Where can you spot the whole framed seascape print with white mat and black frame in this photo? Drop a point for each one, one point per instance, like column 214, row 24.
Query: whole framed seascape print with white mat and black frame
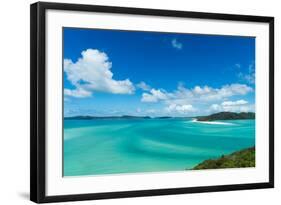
column 129, row 102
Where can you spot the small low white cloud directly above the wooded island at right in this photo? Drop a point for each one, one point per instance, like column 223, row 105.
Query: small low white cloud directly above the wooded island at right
column 232, row 106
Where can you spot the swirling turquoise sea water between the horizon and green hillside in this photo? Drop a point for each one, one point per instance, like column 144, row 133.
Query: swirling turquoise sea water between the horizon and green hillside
column 106, row 146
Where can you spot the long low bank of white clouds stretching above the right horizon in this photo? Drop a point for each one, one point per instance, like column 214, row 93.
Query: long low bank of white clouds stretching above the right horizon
column 181, row 100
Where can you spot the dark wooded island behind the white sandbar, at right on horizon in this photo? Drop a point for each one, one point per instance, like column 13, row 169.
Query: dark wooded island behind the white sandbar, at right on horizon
column 227, row 116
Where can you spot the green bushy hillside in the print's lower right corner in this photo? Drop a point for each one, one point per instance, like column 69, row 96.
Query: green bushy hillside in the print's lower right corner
column 242, row 158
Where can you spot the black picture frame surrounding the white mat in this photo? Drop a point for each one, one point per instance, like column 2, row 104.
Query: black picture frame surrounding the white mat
column 38, row 101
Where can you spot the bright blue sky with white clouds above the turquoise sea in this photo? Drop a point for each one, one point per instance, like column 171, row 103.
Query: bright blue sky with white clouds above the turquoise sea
column 110, row 72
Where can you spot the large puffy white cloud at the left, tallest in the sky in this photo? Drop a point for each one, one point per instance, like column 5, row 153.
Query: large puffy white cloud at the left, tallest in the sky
column 92, row 72
